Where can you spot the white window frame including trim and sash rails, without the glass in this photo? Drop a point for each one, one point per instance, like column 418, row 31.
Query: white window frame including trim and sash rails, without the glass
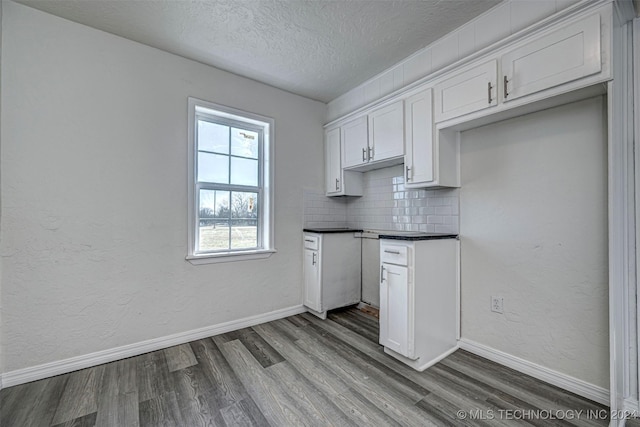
column 253, row 122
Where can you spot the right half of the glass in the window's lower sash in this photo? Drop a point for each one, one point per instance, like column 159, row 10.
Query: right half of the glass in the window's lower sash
column 244, row 223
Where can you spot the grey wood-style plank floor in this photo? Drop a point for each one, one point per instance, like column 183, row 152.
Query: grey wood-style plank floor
column 293, row 372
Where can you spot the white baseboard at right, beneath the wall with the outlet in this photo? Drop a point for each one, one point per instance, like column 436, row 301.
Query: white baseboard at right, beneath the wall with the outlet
column 564, row 381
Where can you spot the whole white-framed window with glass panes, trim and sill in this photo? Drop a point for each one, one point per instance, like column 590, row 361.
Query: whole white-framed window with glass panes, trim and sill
column 230, row 184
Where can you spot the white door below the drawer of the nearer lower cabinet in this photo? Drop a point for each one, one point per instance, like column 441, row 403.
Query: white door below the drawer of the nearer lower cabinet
column 395, row 313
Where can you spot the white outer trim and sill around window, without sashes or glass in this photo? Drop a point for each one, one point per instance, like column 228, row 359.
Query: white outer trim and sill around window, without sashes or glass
column 267, row 214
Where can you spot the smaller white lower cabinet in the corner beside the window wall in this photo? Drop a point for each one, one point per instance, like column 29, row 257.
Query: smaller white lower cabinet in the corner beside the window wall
column 331, row 271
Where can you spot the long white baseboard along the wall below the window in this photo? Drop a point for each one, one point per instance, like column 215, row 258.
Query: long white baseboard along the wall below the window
column 46, row 370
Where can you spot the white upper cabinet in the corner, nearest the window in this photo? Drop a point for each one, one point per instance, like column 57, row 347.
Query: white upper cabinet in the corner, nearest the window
column 338, row 182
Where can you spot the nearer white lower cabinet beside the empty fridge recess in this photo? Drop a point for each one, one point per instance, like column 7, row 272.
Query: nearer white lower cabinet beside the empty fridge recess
column 419, row 300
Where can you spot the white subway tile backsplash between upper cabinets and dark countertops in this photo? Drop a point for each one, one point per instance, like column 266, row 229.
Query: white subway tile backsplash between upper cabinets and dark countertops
column 386, row 205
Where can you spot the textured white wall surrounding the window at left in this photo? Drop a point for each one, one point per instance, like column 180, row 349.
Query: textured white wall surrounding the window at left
column 94, row 203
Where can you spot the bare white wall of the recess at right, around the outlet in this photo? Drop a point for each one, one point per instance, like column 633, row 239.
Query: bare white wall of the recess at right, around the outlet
column 533, row 225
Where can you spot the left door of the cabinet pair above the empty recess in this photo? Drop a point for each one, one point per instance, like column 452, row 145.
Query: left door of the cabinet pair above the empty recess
column 466, row 92
